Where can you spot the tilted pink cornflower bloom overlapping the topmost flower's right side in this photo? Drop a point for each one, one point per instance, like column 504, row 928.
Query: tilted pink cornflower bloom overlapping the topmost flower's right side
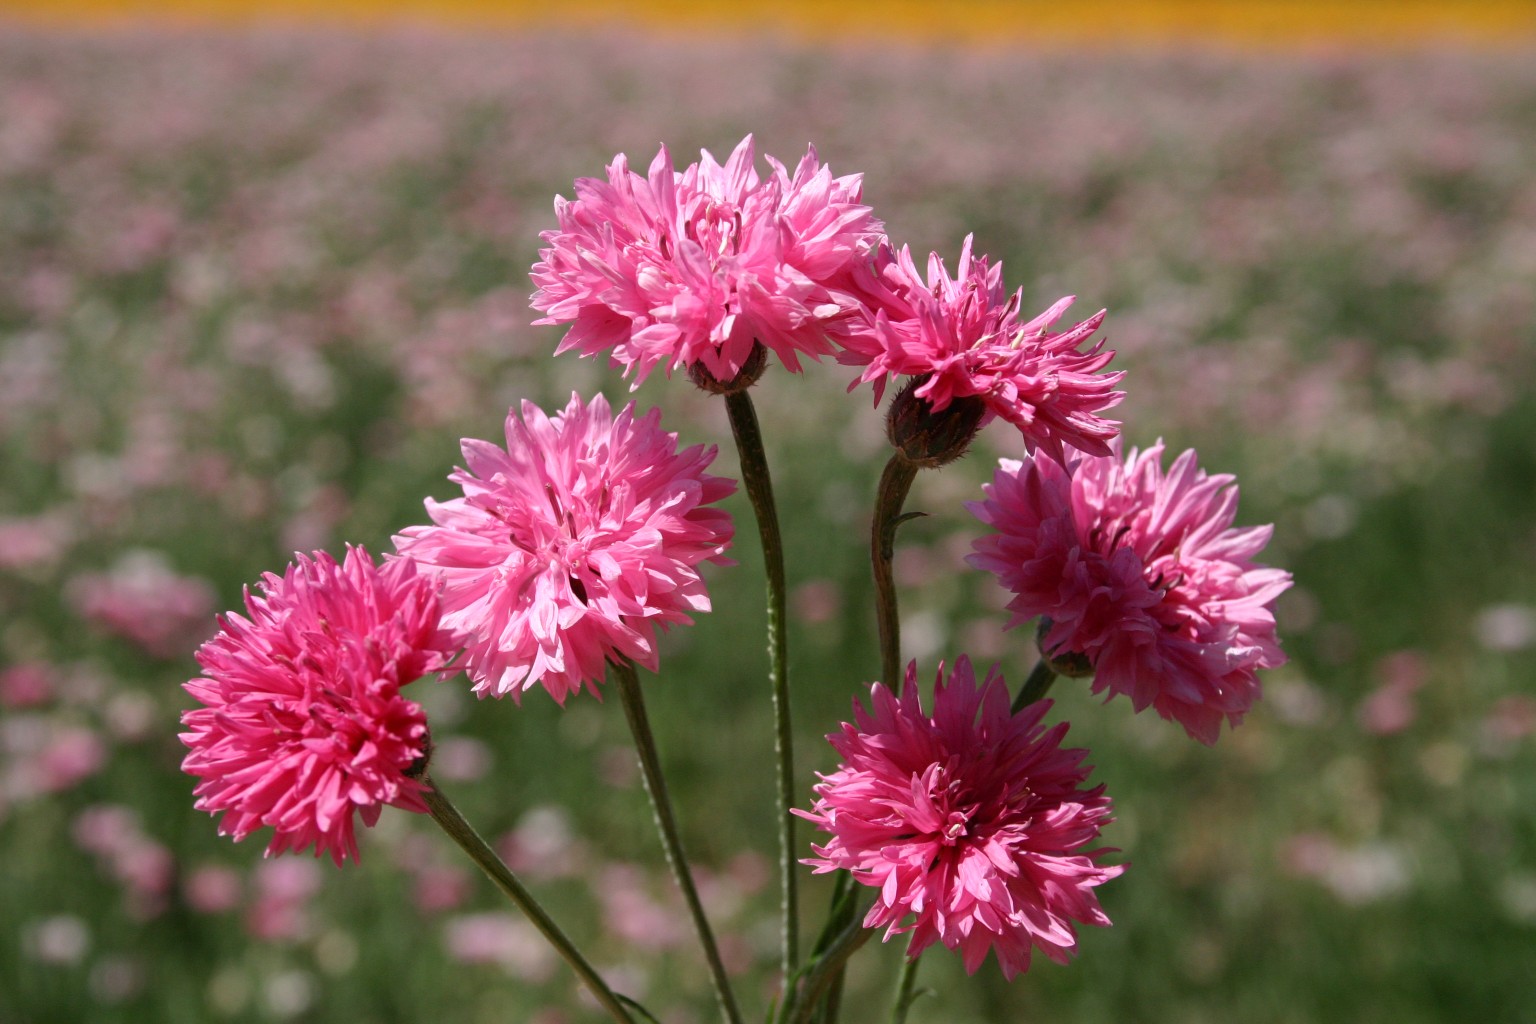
column 962, row 337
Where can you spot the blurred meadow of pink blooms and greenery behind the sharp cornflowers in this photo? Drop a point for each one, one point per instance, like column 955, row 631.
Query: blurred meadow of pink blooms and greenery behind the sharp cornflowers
column 256, row 288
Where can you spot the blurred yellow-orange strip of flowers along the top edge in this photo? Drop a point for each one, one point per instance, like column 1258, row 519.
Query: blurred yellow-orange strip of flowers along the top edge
column 1079, row 22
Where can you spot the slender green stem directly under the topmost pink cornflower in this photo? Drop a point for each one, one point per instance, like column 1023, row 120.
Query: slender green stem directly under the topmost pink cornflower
column 760, row 491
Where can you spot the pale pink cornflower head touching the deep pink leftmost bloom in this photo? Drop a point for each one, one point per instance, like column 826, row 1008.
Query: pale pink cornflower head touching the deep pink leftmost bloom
column 572, row 546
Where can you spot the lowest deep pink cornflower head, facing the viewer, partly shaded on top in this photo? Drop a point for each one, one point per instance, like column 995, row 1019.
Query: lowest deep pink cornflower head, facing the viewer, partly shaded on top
column 972, row 822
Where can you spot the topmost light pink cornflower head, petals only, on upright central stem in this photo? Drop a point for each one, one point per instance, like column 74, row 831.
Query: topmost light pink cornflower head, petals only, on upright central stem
column 698, row 266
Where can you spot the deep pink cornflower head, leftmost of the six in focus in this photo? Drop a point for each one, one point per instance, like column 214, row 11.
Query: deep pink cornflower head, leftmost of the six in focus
column 303, row 724
